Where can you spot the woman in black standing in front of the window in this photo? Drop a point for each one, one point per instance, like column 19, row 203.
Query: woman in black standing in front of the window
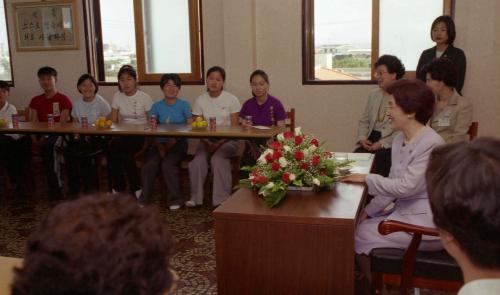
column 443, row 33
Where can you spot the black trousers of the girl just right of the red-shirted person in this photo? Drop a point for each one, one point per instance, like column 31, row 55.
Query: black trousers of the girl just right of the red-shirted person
column 80, row 162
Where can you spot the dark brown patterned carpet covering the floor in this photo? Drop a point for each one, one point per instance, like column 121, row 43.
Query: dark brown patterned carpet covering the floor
column 193, row 230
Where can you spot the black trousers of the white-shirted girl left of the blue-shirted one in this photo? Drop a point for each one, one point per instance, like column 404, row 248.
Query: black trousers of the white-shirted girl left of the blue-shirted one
column 121, row 156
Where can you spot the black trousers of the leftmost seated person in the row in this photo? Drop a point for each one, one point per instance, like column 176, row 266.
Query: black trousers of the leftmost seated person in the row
column 15, row 156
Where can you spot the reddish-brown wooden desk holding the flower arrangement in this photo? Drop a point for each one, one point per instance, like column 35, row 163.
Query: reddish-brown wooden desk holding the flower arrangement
column 305, row 245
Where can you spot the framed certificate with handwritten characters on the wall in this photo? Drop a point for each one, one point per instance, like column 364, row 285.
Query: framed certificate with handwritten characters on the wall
column 48, row 25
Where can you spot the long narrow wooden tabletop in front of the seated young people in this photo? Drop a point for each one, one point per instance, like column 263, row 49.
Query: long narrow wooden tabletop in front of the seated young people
column 171, row 130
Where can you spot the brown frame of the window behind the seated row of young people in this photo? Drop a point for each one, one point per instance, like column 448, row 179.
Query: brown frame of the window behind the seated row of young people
column 95, row 53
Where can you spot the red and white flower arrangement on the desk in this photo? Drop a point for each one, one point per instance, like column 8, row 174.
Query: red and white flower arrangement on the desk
column 293, row 160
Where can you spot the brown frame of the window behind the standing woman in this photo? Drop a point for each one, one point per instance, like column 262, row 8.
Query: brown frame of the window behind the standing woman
column 308, row 44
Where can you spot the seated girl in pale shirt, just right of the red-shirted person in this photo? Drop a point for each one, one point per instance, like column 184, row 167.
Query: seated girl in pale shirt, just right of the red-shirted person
column 78, row 153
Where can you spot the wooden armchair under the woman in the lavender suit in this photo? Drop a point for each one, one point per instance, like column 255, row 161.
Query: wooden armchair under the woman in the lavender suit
column 411, row 268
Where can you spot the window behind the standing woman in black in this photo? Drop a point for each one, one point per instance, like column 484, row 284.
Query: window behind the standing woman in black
column 343, row 38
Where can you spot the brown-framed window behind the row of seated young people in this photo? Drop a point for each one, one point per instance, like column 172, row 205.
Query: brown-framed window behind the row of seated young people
column 155, row 36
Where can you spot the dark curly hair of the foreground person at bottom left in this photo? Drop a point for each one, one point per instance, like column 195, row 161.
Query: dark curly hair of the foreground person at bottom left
column 103, row 244
